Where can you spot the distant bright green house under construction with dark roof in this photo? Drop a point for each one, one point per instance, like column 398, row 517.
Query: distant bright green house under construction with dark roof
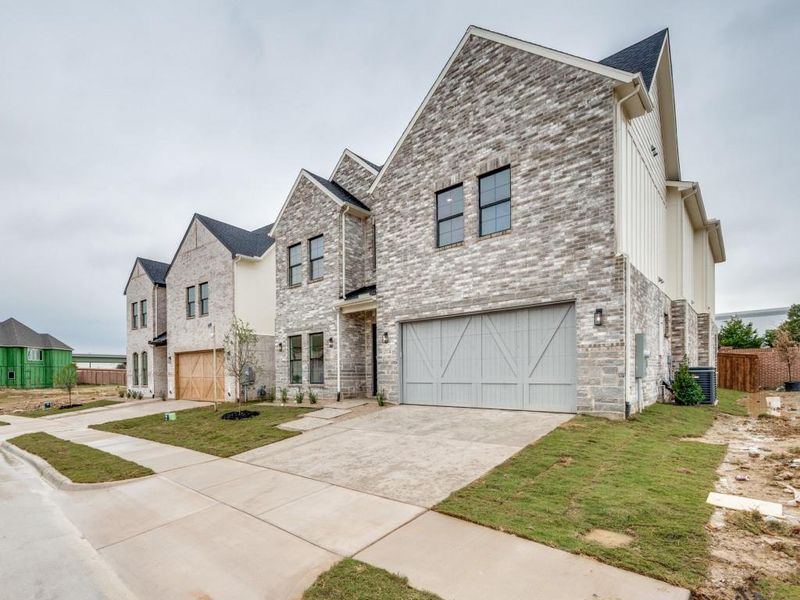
column 29, row 359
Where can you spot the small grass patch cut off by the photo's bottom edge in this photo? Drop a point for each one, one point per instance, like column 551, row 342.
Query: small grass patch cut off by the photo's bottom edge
column 353, row 580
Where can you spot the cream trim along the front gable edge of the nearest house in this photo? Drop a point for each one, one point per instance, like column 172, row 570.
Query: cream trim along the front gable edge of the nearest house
column 620, row 75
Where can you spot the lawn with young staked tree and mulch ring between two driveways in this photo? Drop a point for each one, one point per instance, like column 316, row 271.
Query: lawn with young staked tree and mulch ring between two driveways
column 203, row 430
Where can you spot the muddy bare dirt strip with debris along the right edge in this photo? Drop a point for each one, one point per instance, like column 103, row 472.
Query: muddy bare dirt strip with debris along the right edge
column 761, row 462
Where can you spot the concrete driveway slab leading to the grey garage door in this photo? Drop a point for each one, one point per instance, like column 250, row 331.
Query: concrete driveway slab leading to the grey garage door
column 412, row 454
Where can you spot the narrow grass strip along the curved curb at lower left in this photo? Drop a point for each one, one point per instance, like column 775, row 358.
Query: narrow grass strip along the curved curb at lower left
column 81, row 464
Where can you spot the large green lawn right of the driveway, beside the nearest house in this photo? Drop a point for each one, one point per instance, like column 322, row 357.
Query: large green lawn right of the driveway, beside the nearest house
column 635, row 477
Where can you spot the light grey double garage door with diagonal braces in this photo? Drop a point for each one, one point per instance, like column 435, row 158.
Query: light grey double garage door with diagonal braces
column 520, row 359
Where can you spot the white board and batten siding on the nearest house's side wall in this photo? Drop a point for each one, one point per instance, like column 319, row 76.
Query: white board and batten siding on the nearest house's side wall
column 641, row 193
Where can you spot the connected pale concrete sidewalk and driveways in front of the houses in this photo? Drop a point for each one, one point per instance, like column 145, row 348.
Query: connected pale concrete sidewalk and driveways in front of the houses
column 266, row 523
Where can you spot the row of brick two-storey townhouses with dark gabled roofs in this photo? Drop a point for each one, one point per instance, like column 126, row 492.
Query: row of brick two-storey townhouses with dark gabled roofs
column 528, row 244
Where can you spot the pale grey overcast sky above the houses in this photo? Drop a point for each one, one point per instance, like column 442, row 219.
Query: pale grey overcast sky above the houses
column 119, row 120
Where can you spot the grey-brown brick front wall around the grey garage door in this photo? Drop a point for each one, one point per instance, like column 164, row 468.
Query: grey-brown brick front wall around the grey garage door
column 554, row 125
